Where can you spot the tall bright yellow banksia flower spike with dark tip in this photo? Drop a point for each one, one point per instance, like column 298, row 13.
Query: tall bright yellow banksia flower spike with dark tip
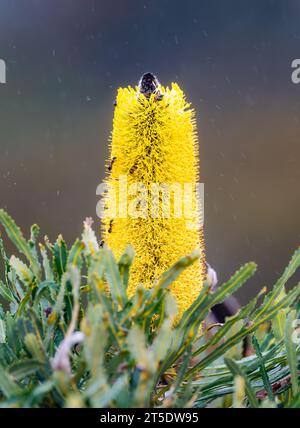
column 151, row 200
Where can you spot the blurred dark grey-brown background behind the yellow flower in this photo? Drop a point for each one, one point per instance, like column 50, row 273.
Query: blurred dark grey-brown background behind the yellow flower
column 65, row 60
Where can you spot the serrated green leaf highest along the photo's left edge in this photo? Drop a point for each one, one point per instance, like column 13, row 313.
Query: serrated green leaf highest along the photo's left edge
column 16, row 236
